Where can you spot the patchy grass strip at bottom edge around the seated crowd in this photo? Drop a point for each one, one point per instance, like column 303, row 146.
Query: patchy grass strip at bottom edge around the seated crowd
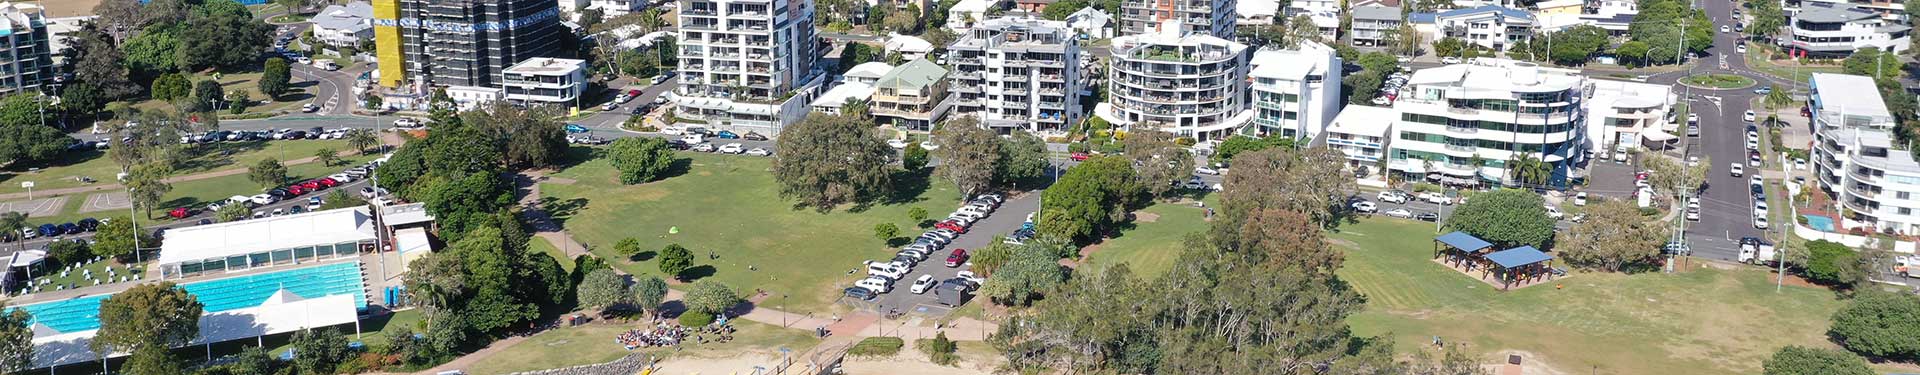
column 594, row 345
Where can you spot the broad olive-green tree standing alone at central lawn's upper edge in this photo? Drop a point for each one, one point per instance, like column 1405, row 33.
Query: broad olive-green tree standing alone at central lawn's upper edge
column 830, row 161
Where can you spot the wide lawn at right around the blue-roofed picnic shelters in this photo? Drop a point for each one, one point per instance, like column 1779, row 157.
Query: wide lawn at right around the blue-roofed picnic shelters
column 1702, row 320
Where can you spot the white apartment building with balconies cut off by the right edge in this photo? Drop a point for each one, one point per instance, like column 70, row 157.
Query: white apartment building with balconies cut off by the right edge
column 1875, row 180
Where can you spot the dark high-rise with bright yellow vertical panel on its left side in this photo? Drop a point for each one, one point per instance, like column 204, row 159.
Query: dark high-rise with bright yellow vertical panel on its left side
column 464, row 43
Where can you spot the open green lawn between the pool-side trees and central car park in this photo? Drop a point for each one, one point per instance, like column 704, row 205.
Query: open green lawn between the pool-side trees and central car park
column 731, row 207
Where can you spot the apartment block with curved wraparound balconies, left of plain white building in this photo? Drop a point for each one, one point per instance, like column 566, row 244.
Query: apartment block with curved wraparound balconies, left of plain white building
column 1178, row 82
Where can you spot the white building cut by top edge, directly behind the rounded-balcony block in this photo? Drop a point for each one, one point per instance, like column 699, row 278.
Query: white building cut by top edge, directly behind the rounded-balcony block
column 1195, row 16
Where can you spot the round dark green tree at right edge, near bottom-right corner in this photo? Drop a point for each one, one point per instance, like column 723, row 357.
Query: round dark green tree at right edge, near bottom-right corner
column 1879, row 324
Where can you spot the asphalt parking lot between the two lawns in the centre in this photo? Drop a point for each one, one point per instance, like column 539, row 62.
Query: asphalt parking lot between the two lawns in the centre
column 1005, row 220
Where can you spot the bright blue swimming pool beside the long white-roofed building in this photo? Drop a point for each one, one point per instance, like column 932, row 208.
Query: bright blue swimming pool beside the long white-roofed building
column 218, row 295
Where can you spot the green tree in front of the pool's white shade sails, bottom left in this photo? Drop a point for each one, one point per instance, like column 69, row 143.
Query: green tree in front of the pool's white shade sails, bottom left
column 147, row 320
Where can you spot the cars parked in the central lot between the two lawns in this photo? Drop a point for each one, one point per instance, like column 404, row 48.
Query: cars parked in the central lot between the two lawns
column 882, row 276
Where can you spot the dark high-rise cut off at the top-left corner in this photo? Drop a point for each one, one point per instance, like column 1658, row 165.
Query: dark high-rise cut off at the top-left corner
column 26, row 59
